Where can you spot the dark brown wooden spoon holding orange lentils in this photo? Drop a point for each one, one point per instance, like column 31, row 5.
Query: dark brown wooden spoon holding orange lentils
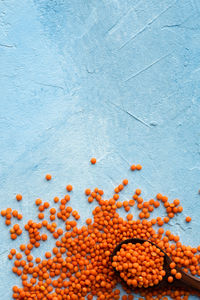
column 186, row 282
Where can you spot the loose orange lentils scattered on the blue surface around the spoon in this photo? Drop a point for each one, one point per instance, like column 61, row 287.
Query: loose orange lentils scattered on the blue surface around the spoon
column 79, row 265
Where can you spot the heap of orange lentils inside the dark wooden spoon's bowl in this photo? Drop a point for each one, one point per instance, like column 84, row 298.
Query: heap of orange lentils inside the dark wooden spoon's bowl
column 140, row 265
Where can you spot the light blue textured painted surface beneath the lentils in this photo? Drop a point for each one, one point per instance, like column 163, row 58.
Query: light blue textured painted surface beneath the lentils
column 118, row 80
